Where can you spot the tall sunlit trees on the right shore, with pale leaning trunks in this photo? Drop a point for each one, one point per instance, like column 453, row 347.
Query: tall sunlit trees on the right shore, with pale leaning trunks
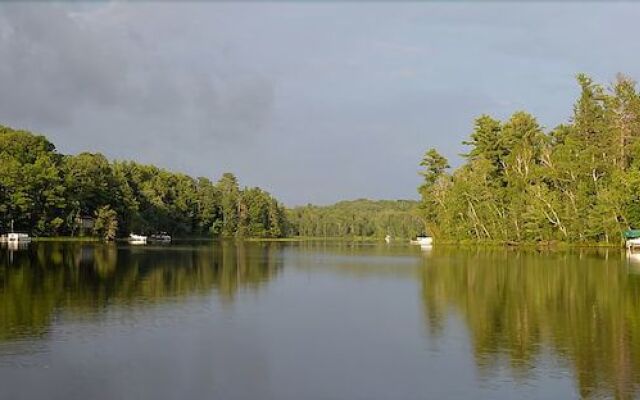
column 578, row 182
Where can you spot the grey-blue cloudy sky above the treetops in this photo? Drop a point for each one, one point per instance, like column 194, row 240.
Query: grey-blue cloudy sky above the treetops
column 315, row 102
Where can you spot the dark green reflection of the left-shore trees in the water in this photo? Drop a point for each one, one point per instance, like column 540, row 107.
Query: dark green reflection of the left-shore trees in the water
column 84, row 278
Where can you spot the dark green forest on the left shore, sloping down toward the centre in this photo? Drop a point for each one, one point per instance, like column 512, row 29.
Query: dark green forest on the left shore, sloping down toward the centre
column 48, row 193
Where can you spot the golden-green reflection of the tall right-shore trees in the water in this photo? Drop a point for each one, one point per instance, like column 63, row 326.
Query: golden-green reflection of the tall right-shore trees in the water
column 581, row 307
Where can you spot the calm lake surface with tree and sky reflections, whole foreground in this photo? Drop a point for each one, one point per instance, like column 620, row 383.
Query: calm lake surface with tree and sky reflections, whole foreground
column 316, row 321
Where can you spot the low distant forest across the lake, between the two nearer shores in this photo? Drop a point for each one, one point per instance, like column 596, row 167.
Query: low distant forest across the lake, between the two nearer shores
column 357, row 218
